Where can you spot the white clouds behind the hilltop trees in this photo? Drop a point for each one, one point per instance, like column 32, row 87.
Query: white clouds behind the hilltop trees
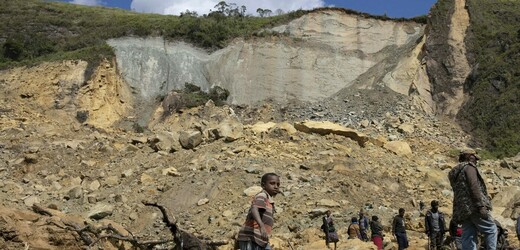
column 175, row 7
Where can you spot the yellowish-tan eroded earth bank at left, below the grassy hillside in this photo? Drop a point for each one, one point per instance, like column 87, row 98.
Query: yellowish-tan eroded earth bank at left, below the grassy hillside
column 58, row 94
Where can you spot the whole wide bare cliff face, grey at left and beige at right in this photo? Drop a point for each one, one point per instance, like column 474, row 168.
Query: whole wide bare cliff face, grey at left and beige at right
column 320, row 54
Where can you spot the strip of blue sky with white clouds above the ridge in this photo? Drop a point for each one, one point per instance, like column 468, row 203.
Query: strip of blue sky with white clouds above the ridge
column 392, row 8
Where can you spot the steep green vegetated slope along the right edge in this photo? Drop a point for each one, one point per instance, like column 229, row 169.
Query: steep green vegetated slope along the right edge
column 493, row 110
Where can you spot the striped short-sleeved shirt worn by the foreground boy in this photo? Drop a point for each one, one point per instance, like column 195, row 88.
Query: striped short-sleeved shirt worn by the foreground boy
column 251, row 230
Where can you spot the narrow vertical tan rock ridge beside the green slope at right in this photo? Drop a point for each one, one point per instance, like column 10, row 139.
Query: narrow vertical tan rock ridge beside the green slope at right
column 447, row 64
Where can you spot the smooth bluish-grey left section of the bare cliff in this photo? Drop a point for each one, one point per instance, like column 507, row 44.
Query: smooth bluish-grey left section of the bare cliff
column 153, row 66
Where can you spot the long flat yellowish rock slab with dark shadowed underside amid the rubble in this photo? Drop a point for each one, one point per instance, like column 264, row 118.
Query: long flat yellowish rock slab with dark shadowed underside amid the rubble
column 326, row 127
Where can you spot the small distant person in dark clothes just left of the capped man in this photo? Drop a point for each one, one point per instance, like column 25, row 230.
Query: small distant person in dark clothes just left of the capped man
column 435, row 226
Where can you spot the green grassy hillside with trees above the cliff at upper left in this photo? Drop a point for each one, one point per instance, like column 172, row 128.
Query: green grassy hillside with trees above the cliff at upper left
column 33, row 31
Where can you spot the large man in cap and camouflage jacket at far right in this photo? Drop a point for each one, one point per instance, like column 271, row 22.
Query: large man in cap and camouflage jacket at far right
column 471, row 202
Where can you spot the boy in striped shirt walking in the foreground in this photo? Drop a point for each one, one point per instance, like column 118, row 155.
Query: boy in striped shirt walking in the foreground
column 254, row 235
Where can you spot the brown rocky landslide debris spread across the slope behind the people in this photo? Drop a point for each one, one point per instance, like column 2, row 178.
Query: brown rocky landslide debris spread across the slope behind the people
column 68, row 143
